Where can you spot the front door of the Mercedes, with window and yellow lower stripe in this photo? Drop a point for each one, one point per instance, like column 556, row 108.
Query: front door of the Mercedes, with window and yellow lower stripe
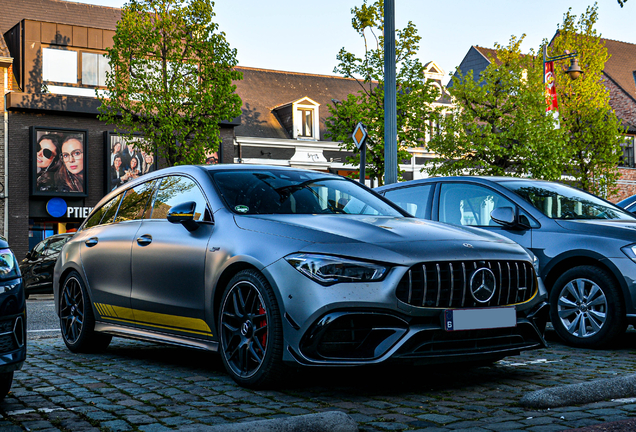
column 168, row 263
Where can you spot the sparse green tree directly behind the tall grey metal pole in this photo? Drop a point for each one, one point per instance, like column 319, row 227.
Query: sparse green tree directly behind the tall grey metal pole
column 414, row 94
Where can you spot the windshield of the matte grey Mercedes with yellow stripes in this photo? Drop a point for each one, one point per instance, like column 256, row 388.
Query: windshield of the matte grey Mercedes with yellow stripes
column 296, row 192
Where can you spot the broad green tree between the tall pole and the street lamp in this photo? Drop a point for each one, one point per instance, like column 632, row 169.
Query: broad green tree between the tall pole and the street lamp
column 499, row 126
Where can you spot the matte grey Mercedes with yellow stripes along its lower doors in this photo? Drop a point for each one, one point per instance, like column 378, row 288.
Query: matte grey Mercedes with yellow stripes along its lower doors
column 278, row 267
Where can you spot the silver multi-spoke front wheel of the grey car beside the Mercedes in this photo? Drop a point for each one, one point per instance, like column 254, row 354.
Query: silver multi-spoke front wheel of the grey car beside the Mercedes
column 586, row 307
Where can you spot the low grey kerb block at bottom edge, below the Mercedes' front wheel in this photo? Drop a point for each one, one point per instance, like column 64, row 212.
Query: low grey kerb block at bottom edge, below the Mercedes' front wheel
column 330, row 421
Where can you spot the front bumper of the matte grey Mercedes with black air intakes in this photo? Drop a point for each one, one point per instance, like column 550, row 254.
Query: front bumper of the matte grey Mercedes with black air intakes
column 365, row 323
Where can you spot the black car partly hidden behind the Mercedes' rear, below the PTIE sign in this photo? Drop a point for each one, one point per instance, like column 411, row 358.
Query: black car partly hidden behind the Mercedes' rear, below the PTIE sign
column 37, row 266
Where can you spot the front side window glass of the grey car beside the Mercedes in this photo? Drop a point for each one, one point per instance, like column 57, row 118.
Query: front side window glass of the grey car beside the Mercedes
column 467, row 204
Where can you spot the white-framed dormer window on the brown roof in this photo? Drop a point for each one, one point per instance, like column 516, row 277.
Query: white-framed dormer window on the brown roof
column 300, row 119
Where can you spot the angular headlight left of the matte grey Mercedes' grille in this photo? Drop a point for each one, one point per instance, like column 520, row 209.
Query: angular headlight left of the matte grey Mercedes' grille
column 327, row 269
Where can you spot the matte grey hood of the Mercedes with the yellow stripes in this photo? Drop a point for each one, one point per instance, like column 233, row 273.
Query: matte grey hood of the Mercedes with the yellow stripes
column 391, row 239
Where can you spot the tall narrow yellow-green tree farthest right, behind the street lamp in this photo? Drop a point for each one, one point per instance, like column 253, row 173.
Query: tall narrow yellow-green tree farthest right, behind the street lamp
column 592, row 126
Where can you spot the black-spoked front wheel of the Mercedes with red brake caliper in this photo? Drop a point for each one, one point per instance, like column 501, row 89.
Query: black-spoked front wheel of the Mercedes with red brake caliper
column 251, row 331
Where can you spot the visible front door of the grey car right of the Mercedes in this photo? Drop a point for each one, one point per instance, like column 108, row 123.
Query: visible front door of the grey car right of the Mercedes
column 470, row 204
